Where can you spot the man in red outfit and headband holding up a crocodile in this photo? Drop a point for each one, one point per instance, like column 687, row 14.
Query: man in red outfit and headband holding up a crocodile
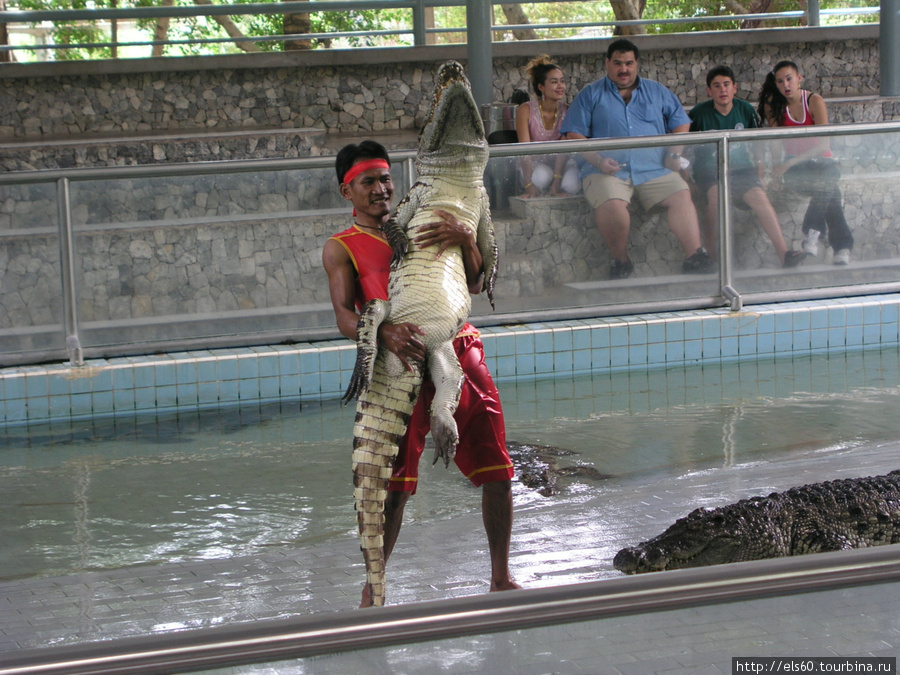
column 357, row 261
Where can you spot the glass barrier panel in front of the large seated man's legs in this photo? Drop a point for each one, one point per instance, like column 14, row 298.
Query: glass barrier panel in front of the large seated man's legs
column 555, row 248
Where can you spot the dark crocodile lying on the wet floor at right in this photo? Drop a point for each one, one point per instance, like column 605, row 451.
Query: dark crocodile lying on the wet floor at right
column 830, row 516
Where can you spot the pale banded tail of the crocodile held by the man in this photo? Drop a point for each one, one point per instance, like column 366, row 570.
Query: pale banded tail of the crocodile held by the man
column 382, row 415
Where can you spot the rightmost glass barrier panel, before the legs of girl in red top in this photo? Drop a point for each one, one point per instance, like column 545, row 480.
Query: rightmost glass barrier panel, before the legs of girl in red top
column 835, row 211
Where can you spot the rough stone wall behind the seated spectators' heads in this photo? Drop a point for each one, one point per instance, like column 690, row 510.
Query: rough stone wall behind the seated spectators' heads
column 339, row 94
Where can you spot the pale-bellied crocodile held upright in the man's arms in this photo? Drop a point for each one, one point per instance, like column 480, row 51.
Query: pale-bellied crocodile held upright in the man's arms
column 426, row 289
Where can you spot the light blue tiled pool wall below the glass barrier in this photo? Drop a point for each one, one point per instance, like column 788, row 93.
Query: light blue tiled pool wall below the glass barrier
column 320, row 370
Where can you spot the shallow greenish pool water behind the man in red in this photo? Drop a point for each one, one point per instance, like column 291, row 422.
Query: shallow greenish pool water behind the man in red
column 209, row 485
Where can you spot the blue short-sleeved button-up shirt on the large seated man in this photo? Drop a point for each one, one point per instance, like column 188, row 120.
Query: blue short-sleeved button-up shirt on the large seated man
column 600, row 112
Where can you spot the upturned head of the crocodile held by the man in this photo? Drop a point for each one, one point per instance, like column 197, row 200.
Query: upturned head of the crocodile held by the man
column 452, row 142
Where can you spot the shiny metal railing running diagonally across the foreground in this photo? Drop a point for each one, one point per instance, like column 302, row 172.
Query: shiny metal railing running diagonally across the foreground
column 326, row 633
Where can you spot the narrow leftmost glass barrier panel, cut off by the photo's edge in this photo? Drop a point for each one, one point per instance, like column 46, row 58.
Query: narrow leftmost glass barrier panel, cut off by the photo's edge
column 31, row 312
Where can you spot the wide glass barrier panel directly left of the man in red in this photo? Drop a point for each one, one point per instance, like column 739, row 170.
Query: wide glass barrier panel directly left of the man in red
column 209, row 255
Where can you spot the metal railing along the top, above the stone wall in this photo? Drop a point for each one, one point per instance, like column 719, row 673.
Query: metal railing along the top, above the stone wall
column 417, row 27
